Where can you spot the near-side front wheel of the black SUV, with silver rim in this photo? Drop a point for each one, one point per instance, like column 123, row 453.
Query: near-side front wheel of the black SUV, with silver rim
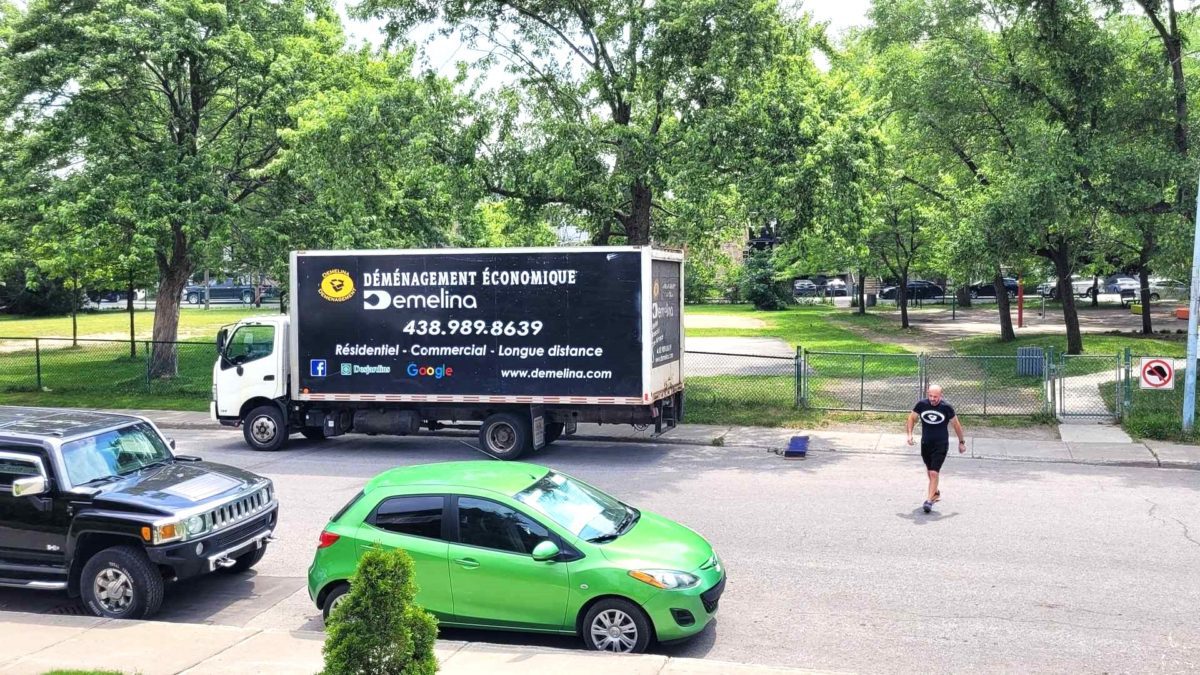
column 122, row 583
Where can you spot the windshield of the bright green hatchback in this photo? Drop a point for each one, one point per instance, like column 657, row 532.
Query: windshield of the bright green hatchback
column 583, row 510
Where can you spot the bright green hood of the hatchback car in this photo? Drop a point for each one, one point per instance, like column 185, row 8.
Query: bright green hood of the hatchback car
column 659, row 543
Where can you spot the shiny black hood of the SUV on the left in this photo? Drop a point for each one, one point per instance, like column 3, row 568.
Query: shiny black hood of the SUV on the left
column 176, row 487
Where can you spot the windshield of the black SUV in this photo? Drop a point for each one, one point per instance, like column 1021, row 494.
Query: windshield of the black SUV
column 113, row 453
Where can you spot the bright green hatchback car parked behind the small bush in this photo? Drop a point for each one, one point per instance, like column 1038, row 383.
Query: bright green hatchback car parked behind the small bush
column 519, row 547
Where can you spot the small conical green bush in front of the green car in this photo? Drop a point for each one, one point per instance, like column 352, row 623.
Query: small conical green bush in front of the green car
column 379, row 629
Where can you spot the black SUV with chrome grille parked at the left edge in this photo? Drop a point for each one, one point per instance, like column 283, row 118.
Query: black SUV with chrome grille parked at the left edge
column 99, row 506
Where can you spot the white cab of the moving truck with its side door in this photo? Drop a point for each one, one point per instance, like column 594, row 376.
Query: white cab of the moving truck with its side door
column 250, row 367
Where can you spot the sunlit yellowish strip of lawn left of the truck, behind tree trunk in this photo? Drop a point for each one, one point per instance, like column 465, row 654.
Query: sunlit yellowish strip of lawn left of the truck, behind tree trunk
column 194, row 324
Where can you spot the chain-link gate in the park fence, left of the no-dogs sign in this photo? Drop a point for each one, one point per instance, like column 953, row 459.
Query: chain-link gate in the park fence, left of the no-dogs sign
column 1089, row 386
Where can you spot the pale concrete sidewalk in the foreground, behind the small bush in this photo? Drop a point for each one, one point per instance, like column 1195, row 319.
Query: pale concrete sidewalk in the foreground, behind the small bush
column 35, row 644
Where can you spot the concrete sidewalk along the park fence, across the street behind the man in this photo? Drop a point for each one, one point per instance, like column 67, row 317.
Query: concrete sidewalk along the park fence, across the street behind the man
column 1081, row 444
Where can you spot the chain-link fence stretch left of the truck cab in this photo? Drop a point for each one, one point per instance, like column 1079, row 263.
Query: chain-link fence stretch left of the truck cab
column 91, row 366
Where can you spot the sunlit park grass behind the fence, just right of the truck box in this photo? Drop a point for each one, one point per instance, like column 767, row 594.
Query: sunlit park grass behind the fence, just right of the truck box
column 813, row 327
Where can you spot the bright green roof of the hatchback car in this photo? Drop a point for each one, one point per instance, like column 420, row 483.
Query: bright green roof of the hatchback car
column 506, row 477
